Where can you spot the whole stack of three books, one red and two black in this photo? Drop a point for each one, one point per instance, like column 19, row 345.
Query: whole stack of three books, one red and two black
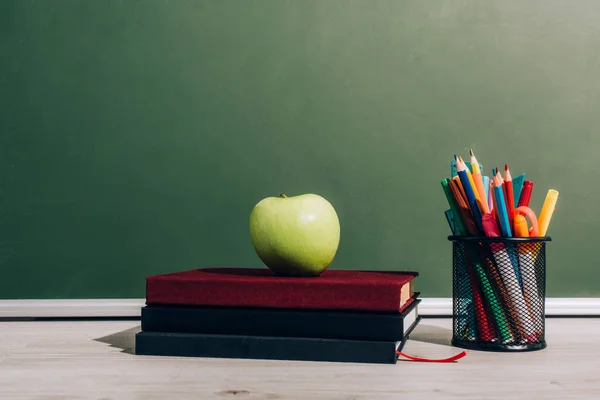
column 339, row 316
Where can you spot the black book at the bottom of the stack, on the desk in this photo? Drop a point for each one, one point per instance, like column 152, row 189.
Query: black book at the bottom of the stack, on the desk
column 265, row 348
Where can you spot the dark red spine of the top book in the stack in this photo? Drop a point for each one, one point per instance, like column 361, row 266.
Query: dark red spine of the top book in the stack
column 365, row 297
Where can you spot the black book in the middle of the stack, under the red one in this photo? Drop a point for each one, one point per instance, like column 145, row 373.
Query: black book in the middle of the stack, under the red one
column 379, row 326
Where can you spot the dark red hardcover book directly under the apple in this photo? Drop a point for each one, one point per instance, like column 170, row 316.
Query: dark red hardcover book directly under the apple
column 383, row 291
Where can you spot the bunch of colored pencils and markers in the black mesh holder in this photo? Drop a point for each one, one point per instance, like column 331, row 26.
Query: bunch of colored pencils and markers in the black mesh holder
column 503, row 304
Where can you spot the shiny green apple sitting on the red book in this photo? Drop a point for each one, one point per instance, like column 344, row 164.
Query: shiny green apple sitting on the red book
column 295, row 236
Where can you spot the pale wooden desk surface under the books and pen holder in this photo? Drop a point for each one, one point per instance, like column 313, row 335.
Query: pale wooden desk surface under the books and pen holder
column 94, row 360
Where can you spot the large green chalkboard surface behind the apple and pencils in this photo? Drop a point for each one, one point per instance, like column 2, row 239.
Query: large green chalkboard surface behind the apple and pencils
column 137, row 135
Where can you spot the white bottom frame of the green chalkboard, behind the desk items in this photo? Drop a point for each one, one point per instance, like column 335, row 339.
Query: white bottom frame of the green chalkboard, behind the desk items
column 432, row 307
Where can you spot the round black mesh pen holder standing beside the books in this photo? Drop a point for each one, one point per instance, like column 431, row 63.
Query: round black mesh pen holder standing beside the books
column 498, row 293
